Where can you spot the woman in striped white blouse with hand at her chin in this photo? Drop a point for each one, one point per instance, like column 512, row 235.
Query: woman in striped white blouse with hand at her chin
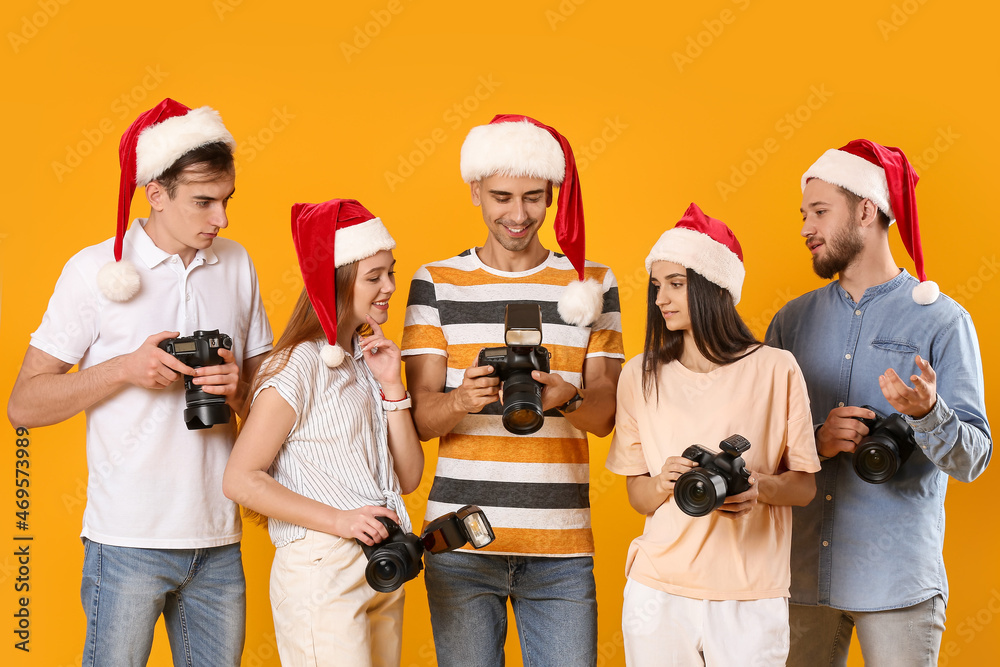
column 329, row 446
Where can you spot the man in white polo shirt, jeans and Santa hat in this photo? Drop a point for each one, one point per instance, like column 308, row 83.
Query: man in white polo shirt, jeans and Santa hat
column 159, row 535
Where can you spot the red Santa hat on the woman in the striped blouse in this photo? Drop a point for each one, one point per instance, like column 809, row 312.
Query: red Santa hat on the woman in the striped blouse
column 346, row 230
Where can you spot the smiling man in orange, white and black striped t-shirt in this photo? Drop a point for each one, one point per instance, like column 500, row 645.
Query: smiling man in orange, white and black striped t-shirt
column 534, row 488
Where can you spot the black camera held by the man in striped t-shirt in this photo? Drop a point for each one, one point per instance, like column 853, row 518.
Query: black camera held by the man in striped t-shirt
column 522, row 395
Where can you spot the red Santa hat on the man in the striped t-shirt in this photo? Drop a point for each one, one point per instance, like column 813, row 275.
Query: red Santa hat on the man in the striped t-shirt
column 516, row 145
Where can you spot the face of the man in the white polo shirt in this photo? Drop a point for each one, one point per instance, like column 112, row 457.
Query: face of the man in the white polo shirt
column 189, row 220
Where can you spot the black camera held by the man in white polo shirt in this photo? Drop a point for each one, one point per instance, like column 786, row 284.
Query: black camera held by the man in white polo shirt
column 202, row 349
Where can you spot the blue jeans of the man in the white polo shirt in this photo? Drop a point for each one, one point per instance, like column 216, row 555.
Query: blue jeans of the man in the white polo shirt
column 200, row 592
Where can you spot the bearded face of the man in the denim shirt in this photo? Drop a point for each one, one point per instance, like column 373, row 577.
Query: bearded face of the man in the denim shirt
column 830, row 227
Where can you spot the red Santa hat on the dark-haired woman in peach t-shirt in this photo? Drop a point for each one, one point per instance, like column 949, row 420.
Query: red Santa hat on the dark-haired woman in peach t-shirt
column 705, row 245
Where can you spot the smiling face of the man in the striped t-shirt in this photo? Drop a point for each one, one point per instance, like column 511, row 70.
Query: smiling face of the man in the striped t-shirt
column 513, row 208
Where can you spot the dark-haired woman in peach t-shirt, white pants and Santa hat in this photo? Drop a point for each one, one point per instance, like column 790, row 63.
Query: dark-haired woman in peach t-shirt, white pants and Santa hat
column 709, row 587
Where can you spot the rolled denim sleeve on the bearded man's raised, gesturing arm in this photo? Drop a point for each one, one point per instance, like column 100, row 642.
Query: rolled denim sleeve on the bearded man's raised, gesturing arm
column 955, row 435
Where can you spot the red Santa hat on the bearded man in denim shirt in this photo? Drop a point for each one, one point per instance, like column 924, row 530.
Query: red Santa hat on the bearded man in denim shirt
column 883, row 175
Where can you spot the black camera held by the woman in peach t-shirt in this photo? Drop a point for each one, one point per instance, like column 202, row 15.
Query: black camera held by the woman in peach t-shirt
column 702, row 490
